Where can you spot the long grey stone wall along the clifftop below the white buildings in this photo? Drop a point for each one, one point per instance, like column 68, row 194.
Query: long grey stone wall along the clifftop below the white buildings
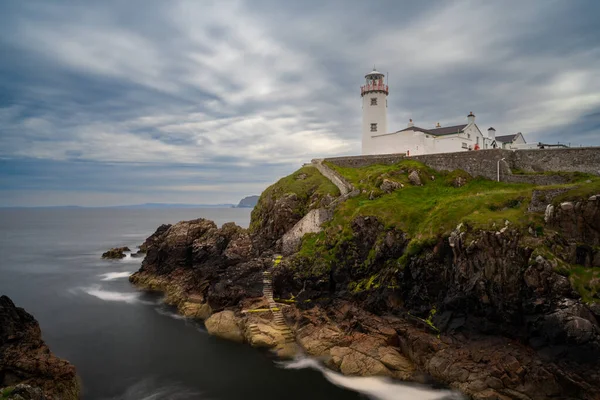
column 484, row 162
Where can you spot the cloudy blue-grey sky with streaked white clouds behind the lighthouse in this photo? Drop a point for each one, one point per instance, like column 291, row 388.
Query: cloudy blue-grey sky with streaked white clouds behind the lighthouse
column 123, row 102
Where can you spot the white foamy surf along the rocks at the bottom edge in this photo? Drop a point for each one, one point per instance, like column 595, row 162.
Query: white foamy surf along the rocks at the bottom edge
column 379, row 388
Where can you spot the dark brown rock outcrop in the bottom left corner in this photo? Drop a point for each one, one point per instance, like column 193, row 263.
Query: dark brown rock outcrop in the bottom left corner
column 27, row 367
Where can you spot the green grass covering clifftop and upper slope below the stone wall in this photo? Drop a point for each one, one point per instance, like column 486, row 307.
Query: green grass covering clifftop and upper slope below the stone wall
column 429, row 208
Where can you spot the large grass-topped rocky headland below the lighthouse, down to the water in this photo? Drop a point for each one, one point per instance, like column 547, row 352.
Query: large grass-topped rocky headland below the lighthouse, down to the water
column 424, row 275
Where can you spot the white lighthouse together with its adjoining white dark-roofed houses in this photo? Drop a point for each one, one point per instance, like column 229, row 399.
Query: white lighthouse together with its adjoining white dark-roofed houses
column 414, row 140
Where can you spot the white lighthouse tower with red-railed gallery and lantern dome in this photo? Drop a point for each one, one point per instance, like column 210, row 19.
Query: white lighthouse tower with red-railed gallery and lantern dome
column 374, row 95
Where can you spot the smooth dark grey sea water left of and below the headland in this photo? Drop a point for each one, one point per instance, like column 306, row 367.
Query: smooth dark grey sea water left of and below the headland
column 128, row 345
